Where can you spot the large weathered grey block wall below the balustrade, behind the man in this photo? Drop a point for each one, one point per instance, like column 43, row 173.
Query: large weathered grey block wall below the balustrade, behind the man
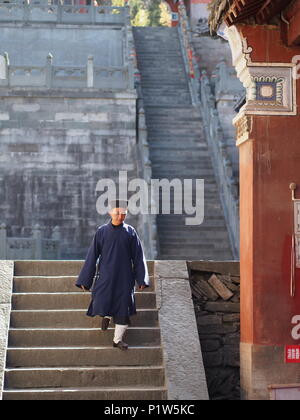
column 55, row 146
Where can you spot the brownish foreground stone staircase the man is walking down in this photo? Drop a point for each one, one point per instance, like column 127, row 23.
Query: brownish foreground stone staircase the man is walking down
column 56, row 352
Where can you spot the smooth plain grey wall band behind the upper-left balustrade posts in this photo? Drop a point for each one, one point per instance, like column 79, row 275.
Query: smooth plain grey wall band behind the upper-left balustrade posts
column 29, row 45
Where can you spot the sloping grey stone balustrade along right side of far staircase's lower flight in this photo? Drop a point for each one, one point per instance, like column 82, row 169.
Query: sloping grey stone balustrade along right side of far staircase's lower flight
column 222, row 163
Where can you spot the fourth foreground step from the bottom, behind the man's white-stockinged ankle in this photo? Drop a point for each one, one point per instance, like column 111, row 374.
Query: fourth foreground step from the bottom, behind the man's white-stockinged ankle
column 63, row 337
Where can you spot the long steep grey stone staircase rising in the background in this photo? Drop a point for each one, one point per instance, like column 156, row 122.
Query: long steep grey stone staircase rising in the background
column 178, row 148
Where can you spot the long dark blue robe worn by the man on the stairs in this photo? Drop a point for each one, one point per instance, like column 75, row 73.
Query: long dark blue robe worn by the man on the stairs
column 121, row 264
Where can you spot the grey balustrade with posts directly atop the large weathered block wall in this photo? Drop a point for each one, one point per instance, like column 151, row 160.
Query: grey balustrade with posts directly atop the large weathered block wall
column 49, row 76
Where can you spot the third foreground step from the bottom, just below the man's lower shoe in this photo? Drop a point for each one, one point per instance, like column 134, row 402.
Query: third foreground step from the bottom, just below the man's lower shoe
column 83, row 356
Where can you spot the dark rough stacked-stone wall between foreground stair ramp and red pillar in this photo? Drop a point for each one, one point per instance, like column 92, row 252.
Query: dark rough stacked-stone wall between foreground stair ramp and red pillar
column 216, row 295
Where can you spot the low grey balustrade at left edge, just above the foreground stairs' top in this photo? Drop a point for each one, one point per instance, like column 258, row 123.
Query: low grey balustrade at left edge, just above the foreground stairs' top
column 35, row 247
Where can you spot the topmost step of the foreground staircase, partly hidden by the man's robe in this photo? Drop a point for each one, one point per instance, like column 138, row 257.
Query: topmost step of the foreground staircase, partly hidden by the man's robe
column 54, row 268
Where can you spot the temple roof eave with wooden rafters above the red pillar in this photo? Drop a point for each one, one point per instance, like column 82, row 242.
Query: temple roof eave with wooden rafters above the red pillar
column 237, row 11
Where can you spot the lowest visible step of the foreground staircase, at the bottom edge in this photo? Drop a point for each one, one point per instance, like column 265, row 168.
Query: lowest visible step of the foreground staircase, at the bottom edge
column 97, row 393
